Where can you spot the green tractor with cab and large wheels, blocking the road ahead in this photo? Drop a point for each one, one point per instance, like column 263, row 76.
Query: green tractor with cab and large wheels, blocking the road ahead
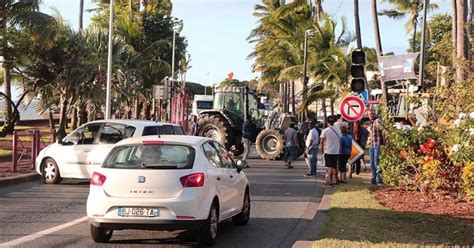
column 224, row 122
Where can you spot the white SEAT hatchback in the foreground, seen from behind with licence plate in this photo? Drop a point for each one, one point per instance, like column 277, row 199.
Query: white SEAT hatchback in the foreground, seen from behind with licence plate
column 167, row 183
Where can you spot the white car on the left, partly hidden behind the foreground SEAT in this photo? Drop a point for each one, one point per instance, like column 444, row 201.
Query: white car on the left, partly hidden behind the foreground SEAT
column 83, row 150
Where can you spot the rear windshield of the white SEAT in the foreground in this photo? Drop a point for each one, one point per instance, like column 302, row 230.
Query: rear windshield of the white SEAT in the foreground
column 162, row 156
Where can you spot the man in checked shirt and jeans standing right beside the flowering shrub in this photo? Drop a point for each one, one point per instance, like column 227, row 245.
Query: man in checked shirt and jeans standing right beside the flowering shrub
column 376, row 140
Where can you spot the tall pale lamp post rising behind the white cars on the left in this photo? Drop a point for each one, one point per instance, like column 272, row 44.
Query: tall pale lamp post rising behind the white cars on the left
column 108, row 100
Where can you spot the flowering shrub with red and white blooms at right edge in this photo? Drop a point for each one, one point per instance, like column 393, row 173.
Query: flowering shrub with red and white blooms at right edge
column 438, row 157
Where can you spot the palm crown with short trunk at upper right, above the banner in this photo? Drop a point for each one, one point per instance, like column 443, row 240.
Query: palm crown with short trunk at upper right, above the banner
column 412, row 9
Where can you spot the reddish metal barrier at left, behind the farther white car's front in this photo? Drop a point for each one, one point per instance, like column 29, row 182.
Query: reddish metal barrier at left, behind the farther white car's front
column 26, row 146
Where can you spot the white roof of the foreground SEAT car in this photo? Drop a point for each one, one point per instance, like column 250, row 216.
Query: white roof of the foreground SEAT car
column 178, row 139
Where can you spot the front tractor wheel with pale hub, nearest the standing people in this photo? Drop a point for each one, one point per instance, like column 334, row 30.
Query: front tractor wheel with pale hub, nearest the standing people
column 270, row 144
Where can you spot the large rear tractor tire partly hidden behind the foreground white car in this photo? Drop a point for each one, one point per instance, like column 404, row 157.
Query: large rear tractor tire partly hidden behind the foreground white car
column 217, row 128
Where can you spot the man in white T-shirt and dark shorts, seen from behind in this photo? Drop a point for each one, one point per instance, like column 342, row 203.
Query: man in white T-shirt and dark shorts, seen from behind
column 329, row 146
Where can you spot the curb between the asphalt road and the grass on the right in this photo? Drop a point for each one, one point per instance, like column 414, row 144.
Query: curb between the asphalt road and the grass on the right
column 315, row 226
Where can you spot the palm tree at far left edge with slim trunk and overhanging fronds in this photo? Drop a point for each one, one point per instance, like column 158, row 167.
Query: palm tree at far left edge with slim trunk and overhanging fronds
column 26, row 15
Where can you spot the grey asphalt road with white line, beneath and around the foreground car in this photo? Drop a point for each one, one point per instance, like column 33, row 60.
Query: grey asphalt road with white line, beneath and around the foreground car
column 282, row 203
